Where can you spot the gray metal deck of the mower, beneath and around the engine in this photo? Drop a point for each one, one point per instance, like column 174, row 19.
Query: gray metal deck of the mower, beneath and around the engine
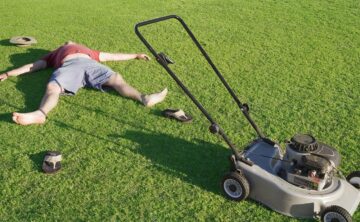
column 271, row 190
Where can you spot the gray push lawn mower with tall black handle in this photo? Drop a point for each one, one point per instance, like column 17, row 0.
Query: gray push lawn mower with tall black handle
column 304, row 182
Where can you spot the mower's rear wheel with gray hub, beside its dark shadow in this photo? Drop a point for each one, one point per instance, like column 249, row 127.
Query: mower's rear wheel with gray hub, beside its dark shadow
column 235, row 186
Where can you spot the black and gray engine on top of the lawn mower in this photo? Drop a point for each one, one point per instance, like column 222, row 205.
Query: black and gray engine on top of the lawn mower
column 308, row 163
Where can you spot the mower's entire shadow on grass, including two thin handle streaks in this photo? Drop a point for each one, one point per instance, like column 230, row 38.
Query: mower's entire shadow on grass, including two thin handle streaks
column 199, row 163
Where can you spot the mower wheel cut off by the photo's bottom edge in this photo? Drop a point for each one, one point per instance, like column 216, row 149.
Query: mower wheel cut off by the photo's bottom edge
column 334, row 214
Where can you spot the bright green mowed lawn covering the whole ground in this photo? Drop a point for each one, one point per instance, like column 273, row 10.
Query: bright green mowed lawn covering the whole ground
column 296, row 63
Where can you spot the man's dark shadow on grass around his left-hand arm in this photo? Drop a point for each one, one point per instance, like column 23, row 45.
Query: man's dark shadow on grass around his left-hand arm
column 31, row 85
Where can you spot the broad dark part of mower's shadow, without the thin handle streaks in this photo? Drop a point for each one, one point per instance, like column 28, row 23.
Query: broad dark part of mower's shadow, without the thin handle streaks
column 200, row 163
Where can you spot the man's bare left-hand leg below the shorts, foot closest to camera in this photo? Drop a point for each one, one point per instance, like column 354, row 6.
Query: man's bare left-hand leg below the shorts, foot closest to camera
column 48, row 102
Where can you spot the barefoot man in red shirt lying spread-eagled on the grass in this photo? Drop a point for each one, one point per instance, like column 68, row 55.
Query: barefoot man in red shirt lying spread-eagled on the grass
column 77, row 66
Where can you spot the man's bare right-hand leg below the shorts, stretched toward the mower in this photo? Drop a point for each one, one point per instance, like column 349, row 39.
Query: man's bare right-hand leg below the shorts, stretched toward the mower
column 118, row 83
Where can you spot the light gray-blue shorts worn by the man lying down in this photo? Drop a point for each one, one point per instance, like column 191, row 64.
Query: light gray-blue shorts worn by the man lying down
column 79, row 72
